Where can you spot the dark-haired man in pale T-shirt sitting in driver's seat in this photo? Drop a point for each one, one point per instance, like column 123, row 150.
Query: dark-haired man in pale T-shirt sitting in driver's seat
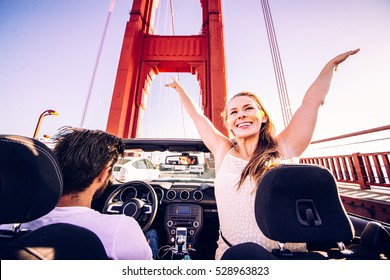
column 86, row 158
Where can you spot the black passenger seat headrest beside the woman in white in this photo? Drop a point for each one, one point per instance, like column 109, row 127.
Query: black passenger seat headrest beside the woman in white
column 301, row 203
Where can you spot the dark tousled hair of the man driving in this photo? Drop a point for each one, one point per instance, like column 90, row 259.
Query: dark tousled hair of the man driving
column 83, row 154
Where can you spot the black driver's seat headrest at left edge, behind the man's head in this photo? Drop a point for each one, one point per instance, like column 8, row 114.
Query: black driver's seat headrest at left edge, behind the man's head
column 30, row 179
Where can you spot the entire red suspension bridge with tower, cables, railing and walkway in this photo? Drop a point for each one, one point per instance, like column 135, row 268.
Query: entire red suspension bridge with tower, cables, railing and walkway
column 363, row 178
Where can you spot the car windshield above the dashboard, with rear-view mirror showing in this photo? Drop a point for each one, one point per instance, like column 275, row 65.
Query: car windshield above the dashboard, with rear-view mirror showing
column 164, row 165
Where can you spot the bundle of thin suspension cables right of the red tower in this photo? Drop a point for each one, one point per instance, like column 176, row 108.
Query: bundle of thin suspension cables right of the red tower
column 277, row 63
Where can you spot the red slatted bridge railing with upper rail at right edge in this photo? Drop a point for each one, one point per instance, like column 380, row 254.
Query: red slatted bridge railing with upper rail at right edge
column 364, row 169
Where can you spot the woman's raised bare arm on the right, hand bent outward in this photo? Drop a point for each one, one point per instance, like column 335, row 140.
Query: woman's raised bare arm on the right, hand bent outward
column 295, row 138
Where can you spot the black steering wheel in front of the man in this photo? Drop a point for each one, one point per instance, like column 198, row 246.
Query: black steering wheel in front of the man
column 142, row 211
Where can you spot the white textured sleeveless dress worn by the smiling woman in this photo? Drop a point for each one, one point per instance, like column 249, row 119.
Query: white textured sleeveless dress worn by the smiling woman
column 236, row 209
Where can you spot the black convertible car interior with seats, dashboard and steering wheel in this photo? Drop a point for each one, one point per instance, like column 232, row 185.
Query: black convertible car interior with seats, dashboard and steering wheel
column 294, row 203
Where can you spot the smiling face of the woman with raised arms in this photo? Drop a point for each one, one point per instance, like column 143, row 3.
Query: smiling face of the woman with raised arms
column 244, row 116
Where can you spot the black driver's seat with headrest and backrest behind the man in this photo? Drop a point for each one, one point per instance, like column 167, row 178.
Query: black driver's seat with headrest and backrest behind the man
column 30, row 187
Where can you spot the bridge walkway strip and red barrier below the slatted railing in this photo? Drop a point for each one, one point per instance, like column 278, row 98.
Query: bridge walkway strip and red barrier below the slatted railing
column 374, row 202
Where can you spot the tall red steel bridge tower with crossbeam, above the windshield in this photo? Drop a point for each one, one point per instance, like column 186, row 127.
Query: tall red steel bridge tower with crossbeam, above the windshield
column 145, row 55
